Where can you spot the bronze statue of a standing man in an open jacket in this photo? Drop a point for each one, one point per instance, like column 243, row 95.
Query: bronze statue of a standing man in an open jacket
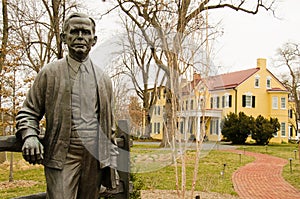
column 76, row 98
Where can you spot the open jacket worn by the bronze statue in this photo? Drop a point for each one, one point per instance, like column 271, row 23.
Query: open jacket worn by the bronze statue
column 50, row 95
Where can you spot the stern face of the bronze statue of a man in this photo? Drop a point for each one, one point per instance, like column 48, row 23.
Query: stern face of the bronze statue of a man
column 79, row 37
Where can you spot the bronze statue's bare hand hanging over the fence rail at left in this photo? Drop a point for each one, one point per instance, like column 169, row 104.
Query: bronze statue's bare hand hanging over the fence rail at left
column 33, row 150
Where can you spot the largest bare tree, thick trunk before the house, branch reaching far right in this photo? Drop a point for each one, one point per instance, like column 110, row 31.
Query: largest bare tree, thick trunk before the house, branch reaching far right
column 174, row 22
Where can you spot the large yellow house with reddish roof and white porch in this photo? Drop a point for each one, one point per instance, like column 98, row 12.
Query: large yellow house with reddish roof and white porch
column 254, row 91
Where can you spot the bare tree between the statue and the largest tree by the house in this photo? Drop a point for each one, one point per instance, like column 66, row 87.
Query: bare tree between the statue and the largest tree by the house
column 138, row 65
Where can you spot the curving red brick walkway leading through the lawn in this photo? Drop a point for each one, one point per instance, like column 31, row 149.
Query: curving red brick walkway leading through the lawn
column 262, row 179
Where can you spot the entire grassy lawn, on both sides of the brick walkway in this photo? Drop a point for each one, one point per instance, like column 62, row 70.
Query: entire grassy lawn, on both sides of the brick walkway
column 209, row 177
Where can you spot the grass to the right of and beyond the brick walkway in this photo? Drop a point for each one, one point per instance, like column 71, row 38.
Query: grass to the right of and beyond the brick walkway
column 285, row 151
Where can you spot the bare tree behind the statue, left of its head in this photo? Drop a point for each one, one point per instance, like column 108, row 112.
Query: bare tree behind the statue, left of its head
column 36, row 25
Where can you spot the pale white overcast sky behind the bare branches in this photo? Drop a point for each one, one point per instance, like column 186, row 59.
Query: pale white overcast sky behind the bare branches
column 246, row 37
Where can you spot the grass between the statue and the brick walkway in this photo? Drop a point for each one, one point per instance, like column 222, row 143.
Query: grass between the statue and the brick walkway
column 209, row 176
